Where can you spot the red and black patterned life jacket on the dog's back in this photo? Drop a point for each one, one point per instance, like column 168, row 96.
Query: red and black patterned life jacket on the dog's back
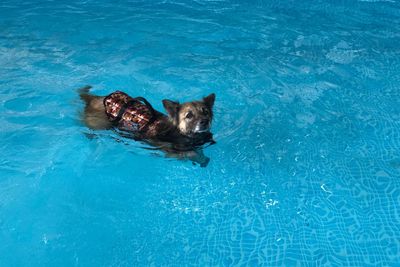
column 130, row 114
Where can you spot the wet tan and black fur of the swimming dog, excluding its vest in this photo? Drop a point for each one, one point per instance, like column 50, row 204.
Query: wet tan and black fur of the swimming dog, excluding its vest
column 175, row 133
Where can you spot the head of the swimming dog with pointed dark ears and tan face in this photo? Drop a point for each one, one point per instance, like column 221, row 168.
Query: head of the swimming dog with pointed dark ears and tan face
column 191, row 117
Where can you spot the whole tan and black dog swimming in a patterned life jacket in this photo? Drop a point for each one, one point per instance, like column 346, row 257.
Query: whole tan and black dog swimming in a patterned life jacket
column 180, row 133
